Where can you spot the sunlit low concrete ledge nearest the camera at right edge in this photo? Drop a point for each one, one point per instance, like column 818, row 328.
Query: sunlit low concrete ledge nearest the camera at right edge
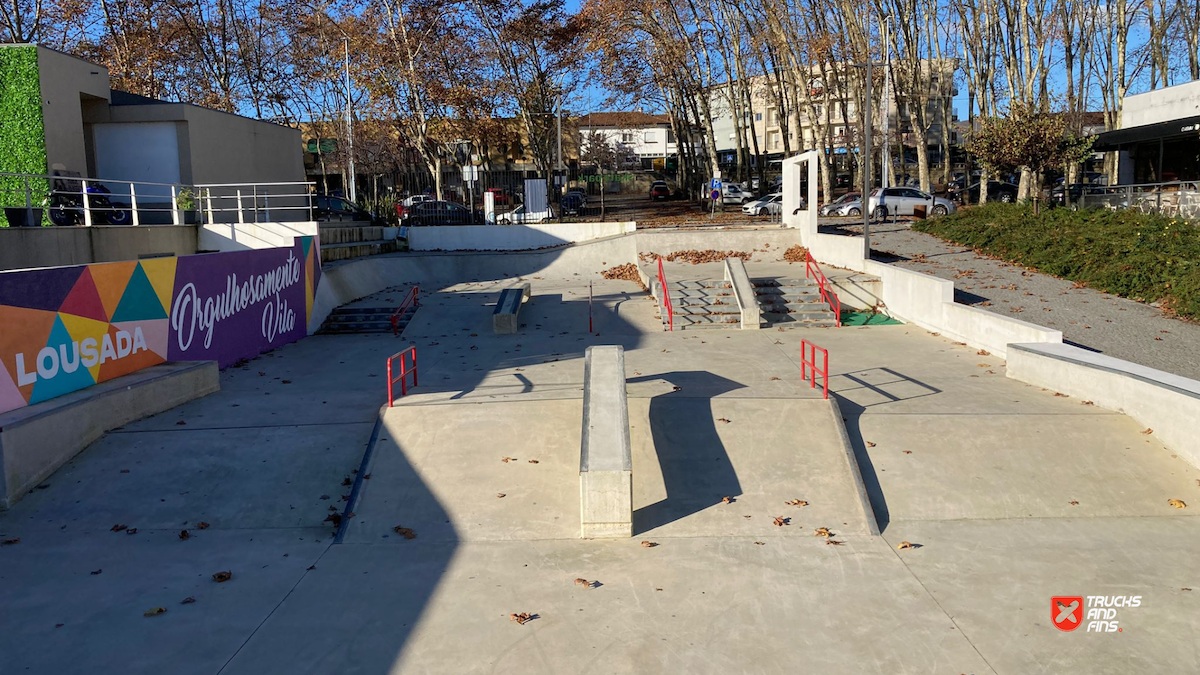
column 1166, row 403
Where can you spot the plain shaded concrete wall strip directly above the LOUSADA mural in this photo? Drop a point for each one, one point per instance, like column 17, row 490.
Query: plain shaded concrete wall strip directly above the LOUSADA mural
column 52, row 247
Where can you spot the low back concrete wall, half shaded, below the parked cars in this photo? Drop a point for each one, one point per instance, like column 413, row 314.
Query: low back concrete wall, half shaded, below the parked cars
column 511, row 237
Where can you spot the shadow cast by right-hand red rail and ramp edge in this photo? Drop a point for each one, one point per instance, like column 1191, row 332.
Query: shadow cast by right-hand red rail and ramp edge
column 853, row 409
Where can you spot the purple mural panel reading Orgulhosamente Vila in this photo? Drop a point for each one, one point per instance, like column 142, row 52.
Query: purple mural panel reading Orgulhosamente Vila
column 227, row 307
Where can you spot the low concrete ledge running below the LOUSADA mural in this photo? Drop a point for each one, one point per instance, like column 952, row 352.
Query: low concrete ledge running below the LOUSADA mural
column 37, row 440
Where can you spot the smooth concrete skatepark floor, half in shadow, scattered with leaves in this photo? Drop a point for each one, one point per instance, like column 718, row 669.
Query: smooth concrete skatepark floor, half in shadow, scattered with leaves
column 1010, row 495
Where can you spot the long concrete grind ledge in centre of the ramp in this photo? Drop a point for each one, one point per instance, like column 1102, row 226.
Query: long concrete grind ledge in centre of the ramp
column 607, row 467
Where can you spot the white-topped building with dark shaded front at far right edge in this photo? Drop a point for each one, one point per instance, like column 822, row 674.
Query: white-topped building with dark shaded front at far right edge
column 1160, row 136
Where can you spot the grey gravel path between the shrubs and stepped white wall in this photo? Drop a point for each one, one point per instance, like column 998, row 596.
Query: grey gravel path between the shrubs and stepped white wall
column 1102, row 322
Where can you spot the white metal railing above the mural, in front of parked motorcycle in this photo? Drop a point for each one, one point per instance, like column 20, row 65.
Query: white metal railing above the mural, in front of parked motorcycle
column 74, row 200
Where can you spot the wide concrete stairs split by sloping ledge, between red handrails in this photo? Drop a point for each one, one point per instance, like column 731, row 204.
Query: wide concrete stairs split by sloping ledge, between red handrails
column 712, row 304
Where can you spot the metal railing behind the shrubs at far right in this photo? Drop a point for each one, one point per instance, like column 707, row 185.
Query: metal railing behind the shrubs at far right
column 1180, row 199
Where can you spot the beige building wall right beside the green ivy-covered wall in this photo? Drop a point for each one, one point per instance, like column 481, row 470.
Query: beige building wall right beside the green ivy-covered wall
column 67, row 82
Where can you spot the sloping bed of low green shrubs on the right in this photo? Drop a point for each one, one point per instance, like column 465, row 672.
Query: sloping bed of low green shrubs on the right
column 1143, row 258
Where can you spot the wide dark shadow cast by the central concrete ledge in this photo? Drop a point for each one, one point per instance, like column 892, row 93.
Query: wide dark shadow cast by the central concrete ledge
column 695, row 465
